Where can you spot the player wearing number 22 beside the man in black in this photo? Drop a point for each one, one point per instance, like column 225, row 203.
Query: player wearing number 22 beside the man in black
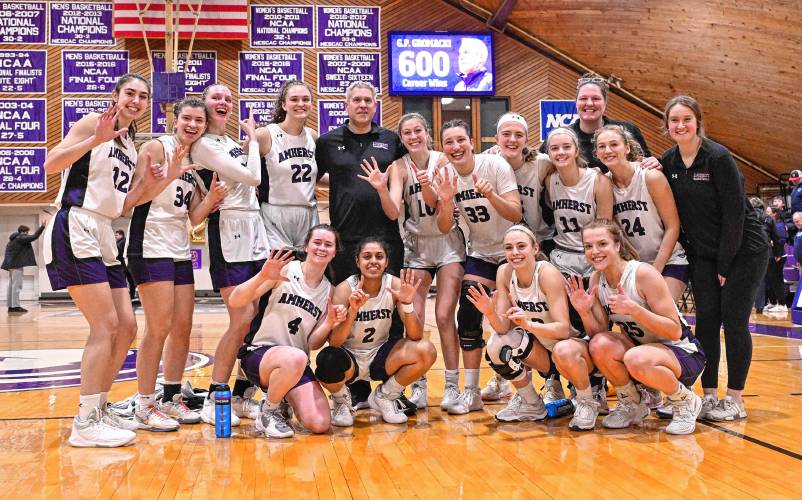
column 289, row 173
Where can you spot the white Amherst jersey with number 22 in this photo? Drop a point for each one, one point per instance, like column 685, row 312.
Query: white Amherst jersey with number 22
column 291, row 168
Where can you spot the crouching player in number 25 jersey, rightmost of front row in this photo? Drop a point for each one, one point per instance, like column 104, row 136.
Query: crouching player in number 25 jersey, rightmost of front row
column 653, row 345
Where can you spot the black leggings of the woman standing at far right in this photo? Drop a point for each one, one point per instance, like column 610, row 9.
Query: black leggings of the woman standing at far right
column 729, row 306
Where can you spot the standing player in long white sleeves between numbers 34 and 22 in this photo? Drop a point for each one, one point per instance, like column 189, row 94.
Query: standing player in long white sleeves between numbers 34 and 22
column 237, row 240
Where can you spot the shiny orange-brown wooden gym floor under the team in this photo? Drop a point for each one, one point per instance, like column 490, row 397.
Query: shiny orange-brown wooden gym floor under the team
column 434, row 456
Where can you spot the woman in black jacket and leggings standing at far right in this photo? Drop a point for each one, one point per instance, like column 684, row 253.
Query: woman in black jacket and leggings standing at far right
column 727, row 248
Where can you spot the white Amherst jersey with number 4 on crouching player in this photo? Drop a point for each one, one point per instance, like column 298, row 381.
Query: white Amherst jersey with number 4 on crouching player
column 293, row 311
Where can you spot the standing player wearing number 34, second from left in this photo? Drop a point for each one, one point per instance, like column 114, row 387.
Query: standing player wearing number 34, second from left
column 159, row 262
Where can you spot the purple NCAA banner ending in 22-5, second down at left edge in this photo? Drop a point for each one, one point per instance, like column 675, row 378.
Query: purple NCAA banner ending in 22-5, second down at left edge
column 23, row 71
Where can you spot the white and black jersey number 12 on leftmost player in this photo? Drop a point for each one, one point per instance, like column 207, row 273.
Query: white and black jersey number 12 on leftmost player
column 100, row 179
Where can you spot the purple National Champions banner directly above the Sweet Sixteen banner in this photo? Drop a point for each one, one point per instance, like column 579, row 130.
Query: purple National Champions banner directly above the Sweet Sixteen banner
column 348, row 27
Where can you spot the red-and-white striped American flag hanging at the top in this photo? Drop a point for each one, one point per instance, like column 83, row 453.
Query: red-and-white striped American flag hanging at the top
column 219, row 19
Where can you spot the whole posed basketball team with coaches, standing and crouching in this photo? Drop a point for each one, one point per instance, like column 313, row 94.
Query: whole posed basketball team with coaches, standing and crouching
column 575, row 255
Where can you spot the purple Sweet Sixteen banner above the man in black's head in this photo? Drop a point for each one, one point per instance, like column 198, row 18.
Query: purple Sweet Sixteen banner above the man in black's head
column 337, row 70
